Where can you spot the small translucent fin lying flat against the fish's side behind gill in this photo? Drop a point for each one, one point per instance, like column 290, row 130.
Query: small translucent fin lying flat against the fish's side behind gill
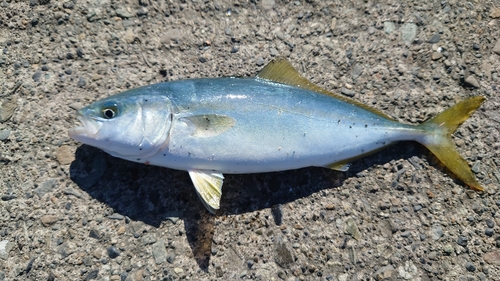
column 209, row 125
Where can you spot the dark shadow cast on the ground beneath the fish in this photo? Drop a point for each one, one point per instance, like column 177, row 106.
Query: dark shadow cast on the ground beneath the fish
column 154, row 194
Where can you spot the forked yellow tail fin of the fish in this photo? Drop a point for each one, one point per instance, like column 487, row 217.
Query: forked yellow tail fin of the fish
column 441, row 144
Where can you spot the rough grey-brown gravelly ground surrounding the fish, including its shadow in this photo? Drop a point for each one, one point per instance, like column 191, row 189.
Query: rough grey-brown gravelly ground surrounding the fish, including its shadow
column 72, row 212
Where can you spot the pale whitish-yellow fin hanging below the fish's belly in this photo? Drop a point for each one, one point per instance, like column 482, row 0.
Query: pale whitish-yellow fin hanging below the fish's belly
column 208, row 185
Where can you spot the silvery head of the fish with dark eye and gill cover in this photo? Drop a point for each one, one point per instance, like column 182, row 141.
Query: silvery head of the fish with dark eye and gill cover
column 126, row 126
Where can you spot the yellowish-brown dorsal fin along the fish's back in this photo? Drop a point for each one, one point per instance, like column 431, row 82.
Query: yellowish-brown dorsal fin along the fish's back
column 281, row 71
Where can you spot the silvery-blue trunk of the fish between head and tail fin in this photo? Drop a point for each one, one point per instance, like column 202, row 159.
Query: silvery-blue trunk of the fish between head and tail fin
column 263, row 126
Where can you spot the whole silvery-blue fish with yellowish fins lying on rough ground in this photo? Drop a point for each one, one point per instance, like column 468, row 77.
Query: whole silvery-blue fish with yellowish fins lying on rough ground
column 275, row 121
